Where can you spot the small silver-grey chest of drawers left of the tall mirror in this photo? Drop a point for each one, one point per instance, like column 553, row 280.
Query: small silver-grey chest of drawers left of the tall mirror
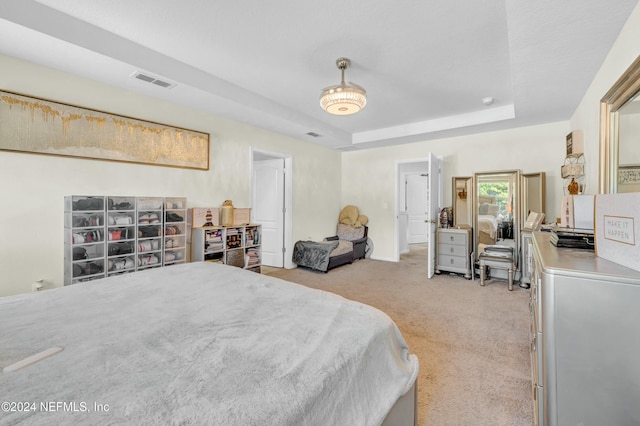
column 453, row 251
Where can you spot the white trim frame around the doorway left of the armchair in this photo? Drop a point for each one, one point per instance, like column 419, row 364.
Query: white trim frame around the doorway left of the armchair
column 287, row 216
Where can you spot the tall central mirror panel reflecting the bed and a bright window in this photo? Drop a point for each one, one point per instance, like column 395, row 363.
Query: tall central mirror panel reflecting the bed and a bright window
column 496, row 212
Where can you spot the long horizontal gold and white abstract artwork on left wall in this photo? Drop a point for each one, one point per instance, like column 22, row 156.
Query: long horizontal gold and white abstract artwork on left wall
column 41, row 126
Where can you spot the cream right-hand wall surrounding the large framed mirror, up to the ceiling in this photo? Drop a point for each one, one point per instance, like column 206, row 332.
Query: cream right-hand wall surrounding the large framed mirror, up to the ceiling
column 587, row 116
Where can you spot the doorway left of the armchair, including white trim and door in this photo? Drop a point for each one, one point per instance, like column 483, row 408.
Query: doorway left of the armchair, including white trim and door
column 271, row 205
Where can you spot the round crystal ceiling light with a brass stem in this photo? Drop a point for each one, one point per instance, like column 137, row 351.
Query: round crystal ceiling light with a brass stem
column 343, row 99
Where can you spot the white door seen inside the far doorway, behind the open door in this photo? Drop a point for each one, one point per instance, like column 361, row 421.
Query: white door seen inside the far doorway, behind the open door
column 416, row 188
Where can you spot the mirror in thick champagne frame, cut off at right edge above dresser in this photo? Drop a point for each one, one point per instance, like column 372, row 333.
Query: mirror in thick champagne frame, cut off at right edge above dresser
column 619, row 168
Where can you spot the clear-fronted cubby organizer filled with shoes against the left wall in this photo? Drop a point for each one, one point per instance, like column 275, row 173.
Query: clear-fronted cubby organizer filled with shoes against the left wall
column 110, row 235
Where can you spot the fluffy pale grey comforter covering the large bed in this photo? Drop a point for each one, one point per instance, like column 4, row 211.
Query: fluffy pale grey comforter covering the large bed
column 200, row 343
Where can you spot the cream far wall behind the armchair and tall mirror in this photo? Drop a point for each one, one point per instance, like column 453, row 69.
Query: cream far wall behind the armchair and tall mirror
column 369, row 176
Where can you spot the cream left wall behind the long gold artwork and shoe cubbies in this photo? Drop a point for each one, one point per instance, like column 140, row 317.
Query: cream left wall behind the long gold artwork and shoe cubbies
column 33, row 186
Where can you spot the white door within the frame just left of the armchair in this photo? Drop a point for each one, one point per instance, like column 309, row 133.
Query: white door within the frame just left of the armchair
column 268, row 208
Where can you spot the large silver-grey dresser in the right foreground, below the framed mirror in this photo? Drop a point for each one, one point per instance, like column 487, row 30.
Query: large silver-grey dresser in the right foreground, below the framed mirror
column 585, row 338
